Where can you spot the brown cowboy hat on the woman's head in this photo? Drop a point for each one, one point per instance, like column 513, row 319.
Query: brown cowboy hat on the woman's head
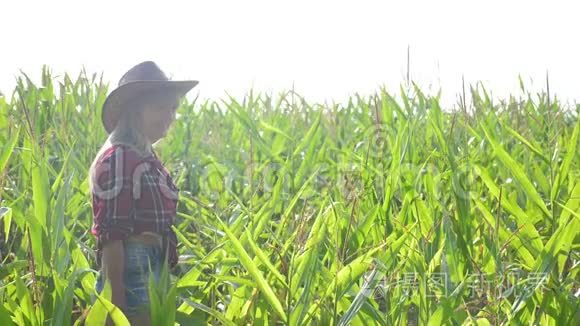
column 139, row 80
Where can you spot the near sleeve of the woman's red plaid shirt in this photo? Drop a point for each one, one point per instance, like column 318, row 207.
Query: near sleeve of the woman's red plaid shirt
column 113, row 201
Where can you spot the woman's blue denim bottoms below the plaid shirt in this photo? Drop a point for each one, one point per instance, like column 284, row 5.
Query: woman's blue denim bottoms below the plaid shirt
column 136, row 274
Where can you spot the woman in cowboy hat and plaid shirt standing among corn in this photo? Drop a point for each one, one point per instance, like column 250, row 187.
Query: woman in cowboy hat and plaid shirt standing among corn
column 134, row 199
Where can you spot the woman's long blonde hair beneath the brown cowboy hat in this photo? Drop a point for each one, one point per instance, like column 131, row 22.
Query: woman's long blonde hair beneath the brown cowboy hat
column 129, row 128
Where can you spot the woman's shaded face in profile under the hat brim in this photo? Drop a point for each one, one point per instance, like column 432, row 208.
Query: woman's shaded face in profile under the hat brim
column 157, row 119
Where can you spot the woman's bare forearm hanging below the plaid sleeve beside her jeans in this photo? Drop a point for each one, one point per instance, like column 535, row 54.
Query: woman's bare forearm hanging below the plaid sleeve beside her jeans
column 113, row 262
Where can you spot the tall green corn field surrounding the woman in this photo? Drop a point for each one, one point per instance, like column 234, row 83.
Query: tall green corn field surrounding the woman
column 387, row 210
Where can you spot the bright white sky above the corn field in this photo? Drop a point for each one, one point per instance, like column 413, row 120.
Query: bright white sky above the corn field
column 327, row 49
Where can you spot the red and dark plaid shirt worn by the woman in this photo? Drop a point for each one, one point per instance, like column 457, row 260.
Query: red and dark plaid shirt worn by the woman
column 133, row 194
